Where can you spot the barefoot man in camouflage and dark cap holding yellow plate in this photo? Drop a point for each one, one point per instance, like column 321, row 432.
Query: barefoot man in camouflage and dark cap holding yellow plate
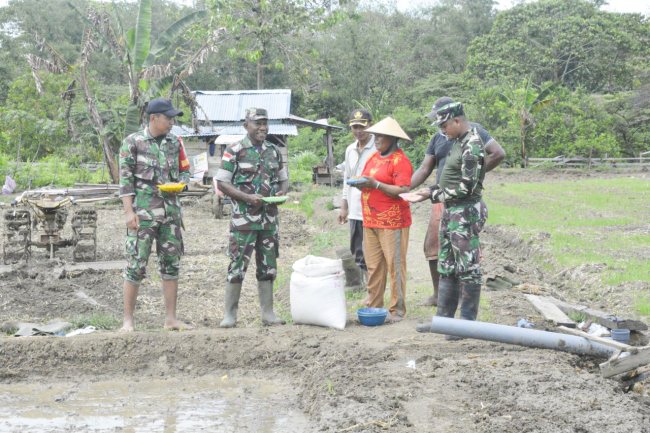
column 149, row 158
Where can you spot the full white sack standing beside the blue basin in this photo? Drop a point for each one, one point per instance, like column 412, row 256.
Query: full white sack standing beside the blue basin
column 317, row 292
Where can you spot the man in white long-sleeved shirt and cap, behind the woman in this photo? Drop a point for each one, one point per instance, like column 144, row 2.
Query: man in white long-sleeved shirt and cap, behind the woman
column 356, row 155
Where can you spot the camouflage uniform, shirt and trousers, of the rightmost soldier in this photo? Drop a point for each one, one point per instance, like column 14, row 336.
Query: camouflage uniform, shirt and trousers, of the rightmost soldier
column 460, row 188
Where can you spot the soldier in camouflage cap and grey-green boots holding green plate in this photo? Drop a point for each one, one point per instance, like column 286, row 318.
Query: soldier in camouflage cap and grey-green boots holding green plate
column 252, row 169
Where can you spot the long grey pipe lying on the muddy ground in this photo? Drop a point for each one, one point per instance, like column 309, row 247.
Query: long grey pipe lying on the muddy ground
column 519, row 336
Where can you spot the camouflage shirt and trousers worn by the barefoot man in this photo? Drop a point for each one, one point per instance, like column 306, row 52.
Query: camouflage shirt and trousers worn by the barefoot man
column 144, row 163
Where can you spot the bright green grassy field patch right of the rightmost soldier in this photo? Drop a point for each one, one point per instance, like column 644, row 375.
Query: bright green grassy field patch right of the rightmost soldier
column 591, row 221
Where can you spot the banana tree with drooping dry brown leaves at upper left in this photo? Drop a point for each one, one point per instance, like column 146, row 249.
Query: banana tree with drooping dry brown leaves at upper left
column 146, row 78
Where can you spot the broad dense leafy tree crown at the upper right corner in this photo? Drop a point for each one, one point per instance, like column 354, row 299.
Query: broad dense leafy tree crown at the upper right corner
column 569, row 42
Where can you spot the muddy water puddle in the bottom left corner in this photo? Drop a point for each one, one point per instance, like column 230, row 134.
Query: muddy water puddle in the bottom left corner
column 170, row 405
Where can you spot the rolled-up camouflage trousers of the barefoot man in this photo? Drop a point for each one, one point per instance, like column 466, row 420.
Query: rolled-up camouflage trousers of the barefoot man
column 169, row 248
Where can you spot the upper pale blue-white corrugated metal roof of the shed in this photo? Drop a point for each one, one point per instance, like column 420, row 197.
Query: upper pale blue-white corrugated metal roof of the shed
column 229, row 105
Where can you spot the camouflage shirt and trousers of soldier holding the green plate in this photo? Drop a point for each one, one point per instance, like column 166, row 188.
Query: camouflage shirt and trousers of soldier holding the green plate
column 253, row 170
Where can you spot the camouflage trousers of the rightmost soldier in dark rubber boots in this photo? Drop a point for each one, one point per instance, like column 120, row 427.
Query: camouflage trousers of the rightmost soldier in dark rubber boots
column 460, row 249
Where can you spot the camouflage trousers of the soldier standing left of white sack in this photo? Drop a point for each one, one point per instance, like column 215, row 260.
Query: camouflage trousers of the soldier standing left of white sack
column 242, row 244
